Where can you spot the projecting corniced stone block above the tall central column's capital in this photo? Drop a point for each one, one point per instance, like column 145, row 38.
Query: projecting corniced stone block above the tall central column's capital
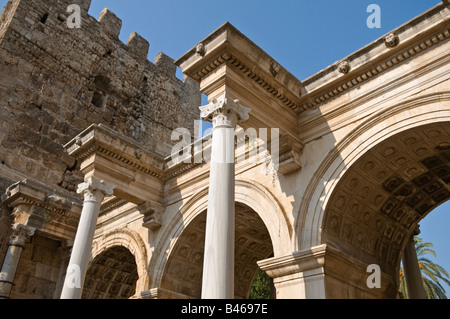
column 228, row 62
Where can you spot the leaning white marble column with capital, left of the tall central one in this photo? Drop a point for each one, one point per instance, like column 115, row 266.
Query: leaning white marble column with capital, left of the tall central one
column 94, row 190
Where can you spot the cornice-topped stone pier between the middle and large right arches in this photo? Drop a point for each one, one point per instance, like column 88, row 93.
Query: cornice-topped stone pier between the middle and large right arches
column 324, row 273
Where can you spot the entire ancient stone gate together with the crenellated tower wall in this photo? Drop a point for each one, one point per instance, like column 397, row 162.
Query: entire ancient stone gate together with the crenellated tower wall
column 343, row 166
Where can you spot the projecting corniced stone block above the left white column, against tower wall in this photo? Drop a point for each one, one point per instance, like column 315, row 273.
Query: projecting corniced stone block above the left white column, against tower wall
column 137, row 173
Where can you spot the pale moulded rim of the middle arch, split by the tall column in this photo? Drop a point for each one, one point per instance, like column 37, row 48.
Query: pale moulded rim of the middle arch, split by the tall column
column 250, row 197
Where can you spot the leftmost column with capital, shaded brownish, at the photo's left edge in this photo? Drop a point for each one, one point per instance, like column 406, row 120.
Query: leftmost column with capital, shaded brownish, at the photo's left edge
column 12, row 258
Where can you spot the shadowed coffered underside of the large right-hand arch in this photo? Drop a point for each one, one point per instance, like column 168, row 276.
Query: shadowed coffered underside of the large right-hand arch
column 381, row 197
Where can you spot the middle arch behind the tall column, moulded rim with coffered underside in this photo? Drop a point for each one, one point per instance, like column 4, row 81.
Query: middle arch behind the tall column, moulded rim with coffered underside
column 255, row 201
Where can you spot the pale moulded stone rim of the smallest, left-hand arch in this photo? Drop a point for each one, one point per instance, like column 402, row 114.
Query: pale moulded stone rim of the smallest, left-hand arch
column 133, row 242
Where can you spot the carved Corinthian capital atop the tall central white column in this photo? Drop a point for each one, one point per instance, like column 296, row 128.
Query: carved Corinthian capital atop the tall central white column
column 224, row 111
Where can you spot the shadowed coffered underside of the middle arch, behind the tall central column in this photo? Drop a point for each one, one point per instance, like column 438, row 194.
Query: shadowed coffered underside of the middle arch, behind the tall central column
column 184, row 269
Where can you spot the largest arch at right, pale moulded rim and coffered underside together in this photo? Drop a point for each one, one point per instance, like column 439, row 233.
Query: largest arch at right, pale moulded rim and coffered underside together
column 369, row 193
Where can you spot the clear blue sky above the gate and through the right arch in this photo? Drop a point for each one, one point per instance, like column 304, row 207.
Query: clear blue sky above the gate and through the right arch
column 303, row 36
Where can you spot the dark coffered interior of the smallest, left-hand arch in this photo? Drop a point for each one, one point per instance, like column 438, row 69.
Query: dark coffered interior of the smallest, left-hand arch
column 111, row 275
